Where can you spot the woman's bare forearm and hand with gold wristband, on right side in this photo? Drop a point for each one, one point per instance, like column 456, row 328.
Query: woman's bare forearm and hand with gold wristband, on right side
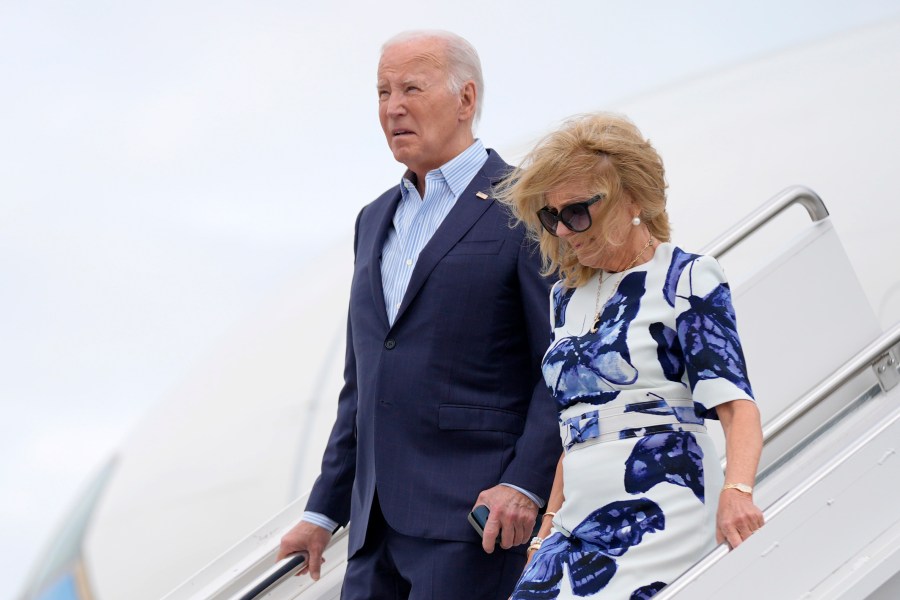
column 738, row 517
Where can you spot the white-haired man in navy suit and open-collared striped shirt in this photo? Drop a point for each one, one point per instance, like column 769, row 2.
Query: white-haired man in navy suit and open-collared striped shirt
column 443, row 407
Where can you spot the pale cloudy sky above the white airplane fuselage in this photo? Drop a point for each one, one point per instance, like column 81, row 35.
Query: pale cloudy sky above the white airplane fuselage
column 165, row 167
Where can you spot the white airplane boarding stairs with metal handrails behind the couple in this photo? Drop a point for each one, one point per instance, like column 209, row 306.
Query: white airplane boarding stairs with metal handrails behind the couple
column 825, row 378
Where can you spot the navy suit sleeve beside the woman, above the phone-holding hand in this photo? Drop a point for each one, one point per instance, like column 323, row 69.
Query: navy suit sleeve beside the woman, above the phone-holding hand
column 538, row 448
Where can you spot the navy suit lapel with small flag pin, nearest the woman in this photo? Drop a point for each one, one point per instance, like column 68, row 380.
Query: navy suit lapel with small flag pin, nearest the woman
column 464, row 214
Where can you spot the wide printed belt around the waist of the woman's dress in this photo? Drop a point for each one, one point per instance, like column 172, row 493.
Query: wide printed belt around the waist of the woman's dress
column 629, row 421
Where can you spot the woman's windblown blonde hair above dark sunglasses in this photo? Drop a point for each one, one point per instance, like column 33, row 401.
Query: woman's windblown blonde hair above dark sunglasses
column 609, row 155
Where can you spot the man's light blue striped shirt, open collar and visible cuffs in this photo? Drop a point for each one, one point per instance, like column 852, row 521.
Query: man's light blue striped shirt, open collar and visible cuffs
column 415, row 221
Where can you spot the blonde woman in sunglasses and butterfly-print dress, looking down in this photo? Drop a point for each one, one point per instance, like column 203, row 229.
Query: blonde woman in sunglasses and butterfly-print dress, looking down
column 644, row 349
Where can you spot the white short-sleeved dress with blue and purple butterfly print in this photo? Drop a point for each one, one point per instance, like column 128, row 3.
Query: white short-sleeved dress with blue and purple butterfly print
column 641, row 475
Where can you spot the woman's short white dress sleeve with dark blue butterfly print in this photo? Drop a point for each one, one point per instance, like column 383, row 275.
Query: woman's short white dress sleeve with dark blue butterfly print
column 707, row 331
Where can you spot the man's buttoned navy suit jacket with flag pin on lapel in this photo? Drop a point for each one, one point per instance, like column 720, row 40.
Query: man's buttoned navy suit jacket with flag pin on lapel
column 449, row 400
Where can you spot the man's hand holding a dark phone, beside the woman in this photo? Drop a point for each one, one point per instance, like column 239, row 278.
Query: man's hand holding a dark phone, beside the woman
column 512, row 517
